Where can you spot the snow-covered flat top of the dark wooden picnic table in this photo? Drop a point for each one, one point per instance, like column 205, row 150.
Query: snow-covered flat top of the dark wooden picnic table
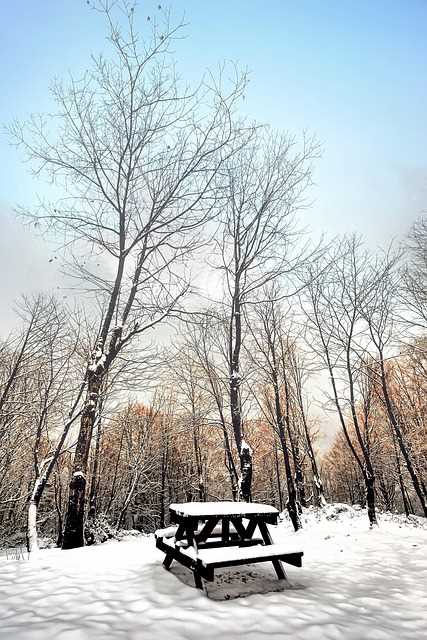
column 222, row 508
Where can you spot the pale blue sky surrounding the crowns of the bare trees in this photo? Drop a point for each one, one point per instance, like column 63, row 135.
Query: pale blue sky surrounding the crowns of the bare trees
column 353, row 73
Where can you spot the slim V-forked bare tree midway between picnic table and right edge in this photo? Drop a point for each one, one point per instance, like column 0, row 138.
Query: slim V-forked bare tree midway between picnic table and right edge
column 337, row 296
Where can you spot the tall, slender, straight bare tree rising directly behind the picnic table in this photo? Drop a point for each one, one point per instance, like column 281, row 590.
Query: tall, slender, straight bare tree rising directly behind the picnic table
column 266, row 184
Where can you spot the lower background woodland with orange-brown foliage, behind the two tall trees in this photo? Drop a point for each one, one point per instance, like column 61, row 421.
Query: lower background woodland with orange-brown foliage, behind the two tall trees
column 180, row 445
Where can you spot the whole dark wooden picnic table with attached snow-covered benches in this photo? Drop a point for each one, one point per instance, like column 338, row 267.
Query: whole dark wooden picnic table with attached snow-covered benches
column 210, row 535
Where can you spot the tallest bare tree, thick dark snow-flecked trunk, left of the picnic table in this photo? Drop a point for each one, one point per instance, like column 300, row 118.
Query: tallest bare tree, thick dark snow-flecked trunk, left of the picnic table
column 137, row 156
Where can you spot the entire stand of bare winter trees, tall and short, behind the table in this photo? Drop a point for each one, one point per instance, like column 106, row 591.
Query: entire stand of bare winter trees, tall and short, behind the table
column 210, row 338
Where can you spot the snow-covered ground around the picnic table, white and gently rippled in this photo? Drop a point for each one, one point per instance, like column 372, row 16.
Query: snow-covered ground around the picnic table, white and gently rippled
column 355, row 584
